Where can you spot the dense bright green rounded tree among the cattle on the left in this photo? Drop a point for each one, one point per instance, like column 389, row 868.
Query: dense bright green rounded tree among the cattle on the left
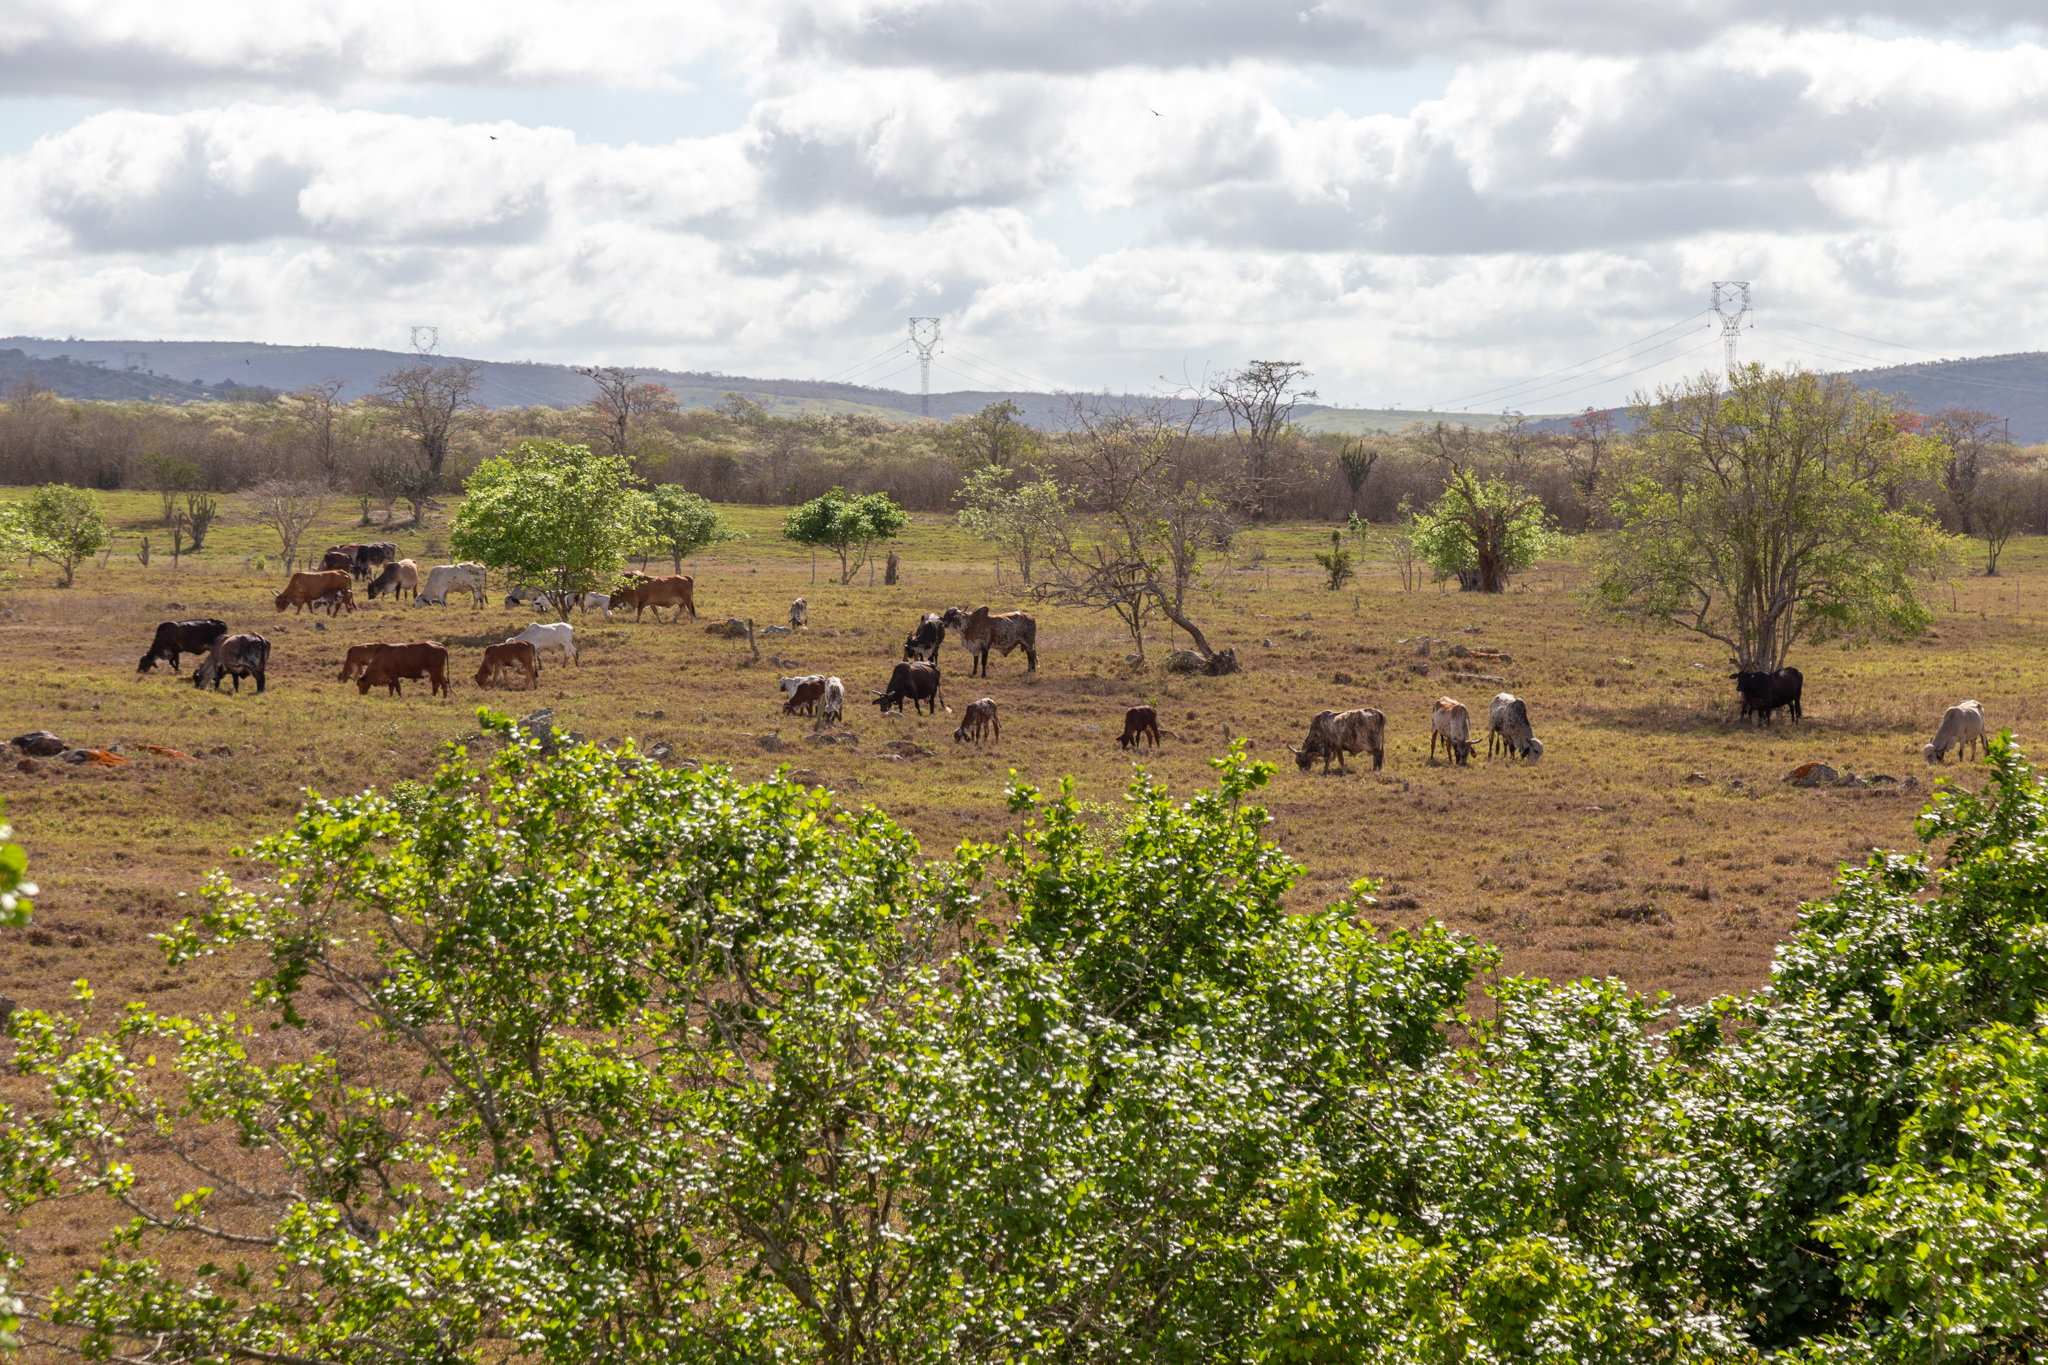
column 552, row 515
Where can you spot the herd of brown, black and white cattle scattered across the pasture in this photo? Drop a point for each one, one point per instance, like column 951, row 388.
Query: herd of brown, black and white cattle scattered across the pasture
column 916, row 678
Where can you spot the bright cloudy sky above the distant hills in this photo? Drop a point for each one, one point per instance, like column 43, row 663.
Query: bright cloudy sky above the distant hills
column 1469, row 206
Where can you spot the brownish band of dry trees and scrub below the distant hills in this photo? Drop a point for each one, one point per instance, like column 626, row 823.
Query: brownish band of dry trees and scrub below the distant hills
column 382, row 453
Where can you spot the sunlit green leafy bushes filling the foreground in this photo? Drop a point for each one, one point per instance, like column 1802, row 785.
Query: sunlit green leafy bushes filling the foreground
column 683, row 1069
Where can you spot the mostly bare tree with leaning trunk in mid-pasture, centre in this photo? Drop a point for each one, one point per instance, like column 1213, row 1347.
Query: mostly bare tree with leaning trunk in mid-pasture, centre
column 1152, row 523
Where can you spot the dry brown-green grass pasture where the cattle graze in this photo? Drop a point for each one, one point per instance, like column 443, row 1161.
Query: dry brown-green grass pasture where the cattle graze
column 1654, row 842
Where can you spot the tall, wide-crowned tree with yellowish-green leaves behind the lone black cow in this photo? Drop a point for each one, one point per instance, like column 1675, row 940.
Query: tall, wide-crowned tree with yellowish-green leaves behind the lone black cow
column 1758, row 513
